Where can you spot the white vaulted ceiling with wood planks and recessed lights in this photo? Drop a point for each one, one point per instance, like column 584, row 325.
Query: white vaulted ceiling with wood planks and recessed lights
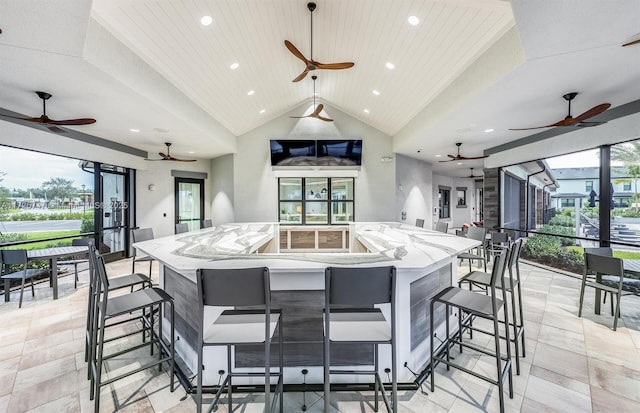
column 466, row 67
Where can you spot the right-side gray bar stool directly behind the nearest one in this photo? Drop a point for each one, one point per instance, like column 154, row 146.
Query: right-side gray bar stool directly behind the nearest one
column 513, row 286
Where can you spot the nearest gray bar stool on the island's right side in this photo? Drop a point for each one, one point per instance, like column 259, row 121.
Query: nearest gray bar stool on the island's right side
column 470, row 304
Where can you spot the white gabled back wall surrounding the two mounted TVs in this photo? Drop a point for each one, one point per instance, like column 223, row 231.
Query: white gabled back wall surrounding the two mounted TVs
column 256, row 184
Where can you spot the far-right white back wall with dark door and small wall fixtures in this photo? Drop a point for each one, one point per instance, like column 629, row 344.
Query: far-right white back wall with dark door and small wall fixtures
column 458, row 216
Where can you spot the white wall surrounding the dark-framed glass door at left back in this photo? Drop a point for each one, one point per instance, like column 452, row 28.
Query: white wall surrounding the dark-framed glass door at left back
column 151, row 206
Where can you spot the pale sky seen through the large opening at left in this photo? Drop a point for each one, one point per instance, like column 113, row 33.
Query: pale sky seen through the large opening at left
column 28, row 169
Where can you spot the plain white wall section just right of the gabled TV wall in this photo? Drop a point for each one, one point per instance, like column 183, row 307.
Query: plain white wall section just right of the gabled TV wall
column 414, row 191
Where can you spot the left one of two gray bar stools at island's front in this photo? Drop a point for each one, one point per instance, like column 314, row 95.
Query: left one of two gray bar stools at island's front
column 241, row 287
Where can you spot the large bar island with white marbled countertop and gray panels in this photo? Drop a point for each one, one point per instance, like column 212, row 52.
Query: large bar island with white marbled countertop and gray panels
column 424, row 260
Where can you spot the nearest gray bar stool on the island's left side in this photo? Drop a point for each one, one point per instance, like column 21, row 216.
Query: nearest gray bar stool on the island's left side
column 149, row 301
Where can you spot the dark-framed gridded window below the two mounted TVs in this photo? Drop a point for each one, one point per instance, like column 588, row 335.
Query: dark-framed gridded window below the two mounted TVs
column 310, row 201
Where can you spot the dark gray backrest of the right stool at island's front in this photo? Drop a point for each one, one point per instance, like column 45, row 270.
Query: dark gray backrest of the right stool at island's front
column 360, row 286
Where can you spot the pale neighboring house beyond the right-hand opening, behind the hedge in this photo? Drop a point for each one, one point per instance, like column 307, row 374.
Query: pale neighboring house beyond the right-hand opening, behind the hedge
column 575, row 185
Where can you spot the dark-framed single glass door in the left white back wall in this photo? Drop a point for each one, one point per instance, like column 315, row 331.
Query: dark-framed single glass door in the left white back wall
column 189, row 196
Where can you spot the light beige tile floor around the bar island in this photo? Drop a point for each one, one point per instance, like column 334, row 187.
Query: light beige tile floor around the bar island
column 572, row 365
